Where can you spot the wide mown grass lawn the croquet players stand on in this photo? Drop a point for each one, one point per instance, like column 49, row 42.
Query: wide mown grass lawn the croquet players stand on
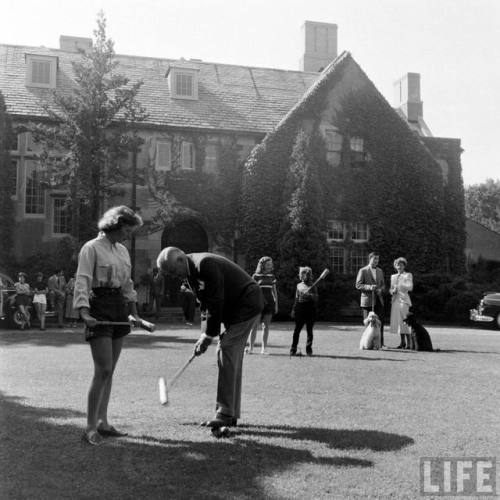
column 343, row 424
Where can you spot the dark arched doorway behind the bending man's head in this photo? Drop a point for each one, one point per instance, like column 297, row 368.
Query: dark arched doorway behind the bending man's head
column 189, row 236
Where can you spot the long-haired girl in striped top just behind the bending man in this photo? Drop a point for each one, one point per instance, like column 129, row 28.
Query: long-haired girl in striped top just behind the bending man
column 267, row 282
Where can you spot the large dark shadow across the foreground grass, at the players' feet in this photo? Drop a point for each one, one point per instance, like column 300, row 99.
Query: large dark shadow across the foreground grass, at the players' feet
column 42, row 456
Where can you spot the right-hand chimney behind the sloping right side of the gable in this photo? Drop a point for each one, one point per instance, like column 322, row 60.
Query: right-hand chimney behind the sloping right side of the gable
column 407, row 101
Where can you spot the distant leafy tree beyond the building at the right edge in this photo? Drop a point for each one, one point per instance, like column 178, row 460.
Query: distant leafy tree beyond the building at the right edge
column 482, row 203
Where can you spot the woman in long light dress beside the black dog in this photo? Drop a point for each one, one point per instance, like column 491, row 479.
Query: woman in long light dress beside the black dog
column 401, row 284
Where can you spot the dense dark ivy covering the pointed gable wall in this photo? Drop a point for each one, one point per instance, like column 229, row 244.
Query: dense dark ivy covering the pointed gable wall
column 397, row 189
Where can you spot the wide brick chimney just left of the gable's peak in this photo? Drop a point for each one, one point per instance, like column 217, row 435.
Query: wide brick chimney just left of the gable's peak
column 320, row 45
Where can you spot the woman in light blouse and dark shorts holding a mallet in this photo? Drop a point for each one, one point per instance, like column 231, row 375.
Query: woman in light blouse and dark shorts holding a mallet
column 104, row 291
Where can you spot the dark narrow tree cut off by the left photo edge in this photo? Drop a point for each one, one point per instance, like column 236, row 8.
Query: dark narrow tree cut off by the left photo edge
column 7, row 185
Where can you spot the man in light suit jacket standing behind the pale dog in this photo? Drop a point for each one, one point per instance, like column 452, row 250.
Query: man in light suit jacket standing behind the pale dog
column 370, row 281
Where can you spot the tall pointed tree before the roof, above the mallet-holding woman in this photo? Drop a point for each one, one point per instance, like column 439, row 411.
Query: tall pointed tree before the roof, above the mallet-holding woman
column 93, row 130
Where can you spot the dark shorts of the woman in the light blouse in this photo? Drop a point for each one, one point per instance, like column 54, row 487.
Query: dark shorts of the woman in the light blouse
column 107, row 304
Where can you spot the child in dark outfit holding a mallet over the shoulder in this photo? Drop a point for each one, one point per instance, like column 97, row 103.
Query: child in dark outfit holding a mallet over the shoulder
column 304, row 310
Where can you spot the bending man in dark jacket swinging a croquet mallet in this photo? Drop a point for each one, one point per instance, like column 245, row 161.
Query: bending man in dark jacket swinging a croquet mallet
column 229, row 297
